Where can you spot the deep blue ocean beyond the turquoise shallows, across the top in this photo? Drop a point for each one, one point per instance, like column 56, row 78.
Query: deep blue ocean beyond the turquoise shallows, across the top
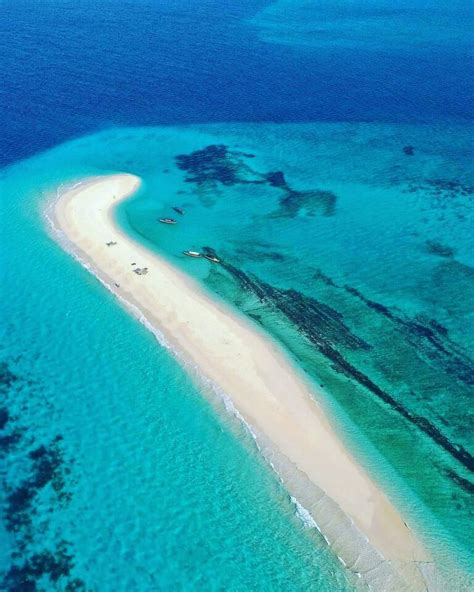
column 70, row 68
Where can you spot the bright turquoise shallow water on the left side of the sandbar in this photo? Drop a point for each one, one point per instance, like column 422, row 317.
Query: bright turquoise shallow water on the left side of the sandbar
column 119, row 474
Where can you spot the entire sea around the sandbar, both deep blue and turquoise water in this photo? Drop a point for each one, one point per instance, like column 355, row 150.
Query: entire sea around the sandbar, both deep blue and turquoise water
column 324, row 151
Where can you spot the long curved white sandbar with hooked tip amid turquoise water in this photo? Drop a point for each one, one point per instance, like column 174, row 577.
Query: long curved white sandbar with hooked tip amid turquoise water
column 361, row 524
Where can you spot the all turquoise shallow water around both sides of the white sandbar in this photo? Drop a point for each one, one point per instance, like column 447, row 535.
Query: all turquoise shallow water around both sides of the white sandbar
column 354, row 254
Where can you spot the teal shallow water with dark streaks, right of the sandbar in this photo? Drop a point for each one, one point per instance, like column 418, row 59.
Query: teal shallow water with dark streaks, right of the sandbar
column 352, row 244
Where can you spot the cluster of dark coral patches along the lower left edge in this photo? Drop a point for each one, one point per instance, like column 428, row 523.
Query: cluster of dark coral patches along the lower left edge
column 33, row 566
